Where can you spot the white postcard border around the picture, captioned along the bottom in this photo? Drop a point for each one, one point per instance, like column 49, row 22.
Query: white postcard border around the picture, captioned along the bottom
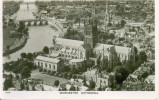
column 101, row 95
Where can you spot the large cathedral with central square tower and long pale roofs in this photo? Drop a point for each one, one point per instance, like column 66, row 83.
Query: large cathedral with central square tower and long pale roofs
column 68, row 49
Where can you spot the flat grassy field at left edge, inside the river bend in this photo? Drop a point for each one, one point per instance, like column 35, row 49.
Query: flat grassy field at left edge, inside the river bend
column 6, row 37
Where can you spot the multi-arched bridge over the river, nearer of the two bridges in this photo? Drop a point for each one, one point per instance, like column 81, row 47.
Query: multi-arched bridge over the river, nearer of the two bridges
column 34, row 22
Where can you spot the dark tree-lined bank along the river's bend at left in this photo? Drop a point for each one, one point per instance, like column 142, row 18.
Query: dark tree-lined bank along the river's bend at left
column 17, row 45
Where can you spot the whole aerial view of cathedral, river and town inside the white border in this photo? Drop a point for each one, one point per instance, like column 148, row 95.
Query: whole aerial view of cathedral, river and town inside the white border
column 78, row 45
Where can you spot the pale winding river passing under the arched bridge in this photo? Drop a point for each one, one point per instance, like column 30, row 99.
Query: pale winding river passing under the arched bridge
column 39, row 36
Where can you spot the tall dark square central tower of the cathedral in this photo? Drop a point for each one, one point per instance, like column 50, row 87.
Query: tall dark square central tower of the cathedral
column 90, row 32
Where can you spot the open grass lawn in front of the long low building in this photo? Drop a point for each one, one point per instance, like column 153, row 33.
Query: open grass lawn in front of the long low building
column 47, row 79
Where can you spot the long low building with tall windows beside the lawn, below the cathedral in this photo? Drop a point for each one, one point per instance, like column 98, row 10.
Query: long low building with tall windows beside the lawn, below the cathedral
column 52, row 64
